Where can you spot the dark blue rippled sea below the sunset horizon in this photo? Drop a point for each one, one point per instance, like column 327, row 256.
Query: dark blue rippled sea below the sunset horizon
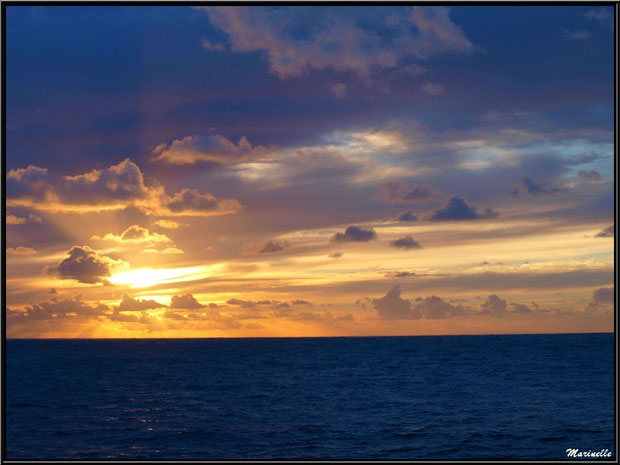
column 458, row 397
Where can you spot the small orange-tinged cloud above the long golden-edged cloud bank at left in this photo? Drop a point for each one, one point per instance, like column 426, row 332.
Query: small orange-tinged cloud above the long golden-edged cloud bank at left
column 210, row 148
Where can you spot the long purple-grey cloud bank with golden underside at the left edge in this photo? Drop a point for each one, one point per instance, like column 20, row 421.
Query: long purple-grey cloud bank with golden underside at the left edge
column 117, row 187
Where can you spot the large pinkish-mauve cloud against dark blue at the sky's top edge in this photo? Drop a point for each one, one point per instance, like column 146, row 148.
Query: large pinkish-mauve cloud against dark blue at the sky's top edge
column 340, row 42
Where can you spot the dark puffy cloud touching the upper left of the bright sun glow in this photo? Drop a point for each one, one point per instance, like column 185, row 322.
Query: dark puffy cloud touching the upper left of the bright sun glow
column 86, row 266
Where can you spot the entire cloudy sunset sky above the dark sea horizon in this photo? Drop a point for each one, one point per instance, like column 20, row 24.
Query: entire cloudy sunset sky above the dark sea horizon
column 254, row 171
